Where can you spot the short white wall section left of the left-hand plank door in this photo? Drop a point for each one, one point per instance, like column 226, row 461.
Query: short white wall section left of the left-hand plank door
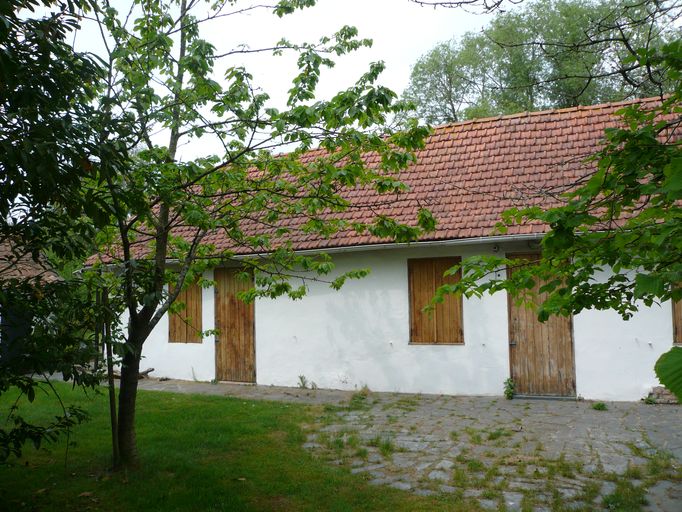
column 187, row 361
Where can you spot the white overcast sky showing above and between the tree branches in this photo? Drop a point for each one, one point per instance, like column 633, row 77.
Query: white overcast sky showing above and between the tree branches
column 401, row 30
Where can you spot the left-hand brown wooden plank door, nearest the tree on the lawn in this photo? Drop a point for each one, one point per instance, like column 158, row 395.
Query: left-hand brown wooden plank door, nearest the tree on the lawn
column 235, row 347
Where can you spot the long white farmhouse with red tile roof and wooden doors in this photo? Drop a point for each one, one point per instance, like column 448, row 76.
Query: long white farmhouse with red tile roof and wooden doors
column 373, row 332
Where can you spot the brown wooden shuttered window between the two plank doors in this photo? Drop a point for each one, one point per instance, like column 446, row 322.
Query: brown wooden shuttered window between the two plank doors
column 444, row 324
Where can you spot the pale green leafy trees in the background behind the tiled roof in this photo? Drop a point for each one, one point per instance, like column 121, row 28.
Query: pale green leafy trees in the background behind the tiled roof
column 546, row 54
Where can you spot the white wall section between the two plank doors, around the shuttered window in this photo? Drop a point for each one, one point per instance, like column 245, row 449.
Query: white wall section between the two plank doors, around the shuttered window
column 360, row 335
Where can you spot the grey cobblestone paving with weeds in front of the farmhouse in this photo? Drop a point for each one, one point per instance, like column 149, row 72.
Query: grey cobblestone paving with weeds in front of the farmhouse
column 494, row 454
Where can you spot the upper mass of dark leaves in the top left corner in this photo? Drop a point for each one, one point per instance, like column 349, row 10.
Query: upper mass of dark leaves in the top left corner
column 47, row 134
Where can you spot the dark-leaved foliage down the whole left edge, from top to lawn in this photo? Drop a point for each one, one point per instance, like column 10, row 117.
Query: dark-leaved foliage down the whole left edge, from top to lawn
column 47, row 141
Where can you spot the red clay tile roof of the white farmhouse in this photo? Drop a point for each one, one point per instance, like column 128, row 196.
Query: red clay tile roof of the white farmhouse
column 469, row 173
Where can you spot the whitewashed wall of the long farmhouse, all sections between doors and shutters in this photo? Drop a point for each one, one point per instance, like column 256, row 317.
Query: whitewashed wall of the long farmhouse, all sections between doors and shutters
column 360, row 336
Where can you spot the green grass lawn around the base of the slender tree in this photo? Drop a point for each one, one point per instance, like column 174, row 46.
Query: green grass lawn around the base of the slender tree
column 197, row 453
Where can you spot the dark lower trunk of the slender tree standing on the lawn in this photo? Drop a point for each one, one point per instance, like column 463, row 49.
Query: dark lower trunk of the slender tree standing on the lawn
column 126, row 409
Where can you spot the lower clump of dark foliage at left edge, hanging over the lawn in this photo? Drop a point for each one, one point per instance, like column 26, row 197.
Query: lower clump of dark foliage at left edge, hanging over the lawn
column 56, row 336
